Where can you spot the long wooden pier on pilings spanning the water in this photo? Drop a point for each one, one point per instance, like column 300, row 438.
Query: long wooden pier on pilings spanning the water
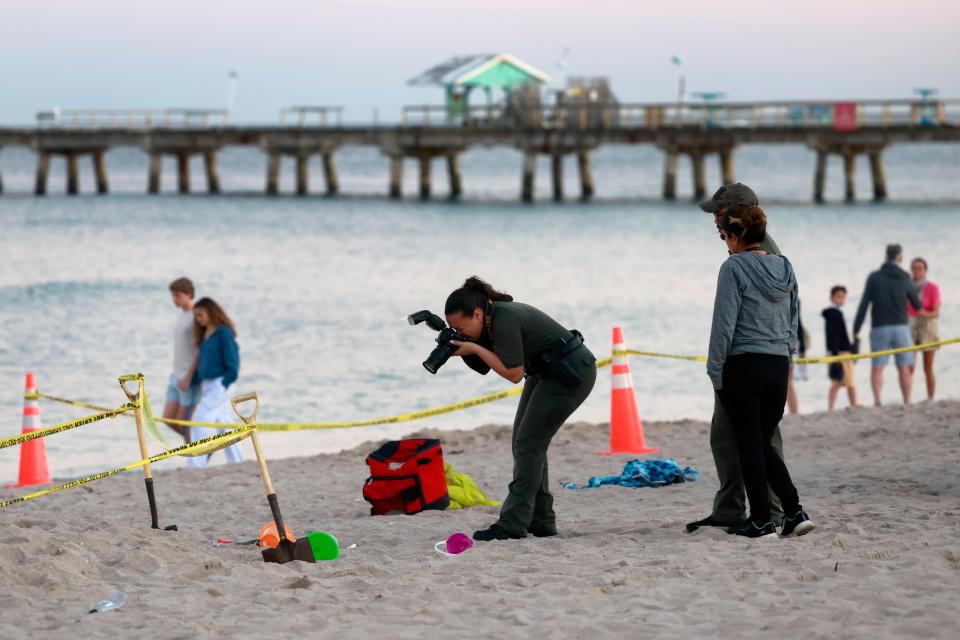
column 700, row 131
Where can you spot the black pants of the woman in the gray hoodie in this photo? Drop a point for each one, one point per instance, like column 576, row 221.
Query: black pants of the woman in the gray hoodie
column 753, row 395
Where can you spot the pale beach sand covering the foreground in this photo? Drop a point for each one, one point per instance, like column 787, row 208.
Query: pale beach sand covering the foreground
column 882, row 485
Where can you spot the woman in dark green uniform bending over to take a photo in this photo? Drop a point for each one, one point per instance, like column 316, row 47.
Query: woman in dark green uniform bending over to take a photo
column 518, row 341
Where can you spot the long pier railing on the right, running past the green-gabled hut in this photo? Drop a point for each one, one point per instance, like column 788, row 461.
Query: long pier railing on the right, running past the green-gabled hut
column 756, row 115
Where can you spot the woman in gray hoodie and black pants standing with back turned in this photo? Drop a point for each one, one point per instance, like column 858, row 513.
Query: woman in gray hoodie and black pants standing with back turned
column 754, row 331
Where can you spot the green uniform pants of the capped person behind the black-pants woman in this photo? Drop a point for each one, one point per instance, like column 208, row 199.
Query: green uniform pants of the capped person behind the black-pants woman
column 730, row 503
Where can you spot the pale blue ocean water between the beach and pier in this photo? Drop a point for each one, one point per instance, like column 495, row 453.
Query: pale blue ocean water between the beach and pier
column 319, row 288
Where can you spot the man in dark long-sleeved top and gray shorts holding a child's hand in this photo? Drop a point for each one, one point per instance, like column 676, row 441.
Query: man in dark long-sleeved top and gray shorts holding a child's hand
column 888, row 290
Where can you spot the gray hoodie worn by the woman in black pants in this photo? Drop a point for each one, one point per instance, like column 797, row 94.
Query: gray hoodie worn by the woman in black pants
column 755, row 311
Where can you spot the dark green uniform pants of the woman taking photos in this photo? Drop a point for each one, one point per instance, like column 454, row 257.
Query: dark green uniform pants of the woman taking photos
column 544, row 406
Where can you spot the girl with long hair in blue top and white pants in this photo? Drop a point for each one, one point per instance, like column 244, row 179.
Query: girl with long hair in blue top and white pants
column 218, row 364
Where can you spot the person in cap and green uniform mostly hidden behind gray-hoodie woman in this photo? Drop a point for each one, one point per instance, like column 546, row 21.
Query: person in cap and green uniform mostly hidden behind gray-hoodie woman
column 730, row 503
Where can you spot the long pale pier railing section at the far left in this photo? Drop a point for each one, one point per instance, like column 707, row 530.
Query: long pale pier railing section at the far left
column 133, row 118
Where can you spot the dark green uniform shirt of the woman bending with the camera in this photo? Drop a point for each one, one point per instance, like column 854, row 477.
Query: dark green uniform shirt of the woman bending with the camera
column 520, row 332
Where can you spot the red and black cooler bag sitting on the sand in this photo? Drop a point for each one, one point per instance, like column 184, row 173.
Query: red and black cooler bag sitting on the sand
column 406, row 475
